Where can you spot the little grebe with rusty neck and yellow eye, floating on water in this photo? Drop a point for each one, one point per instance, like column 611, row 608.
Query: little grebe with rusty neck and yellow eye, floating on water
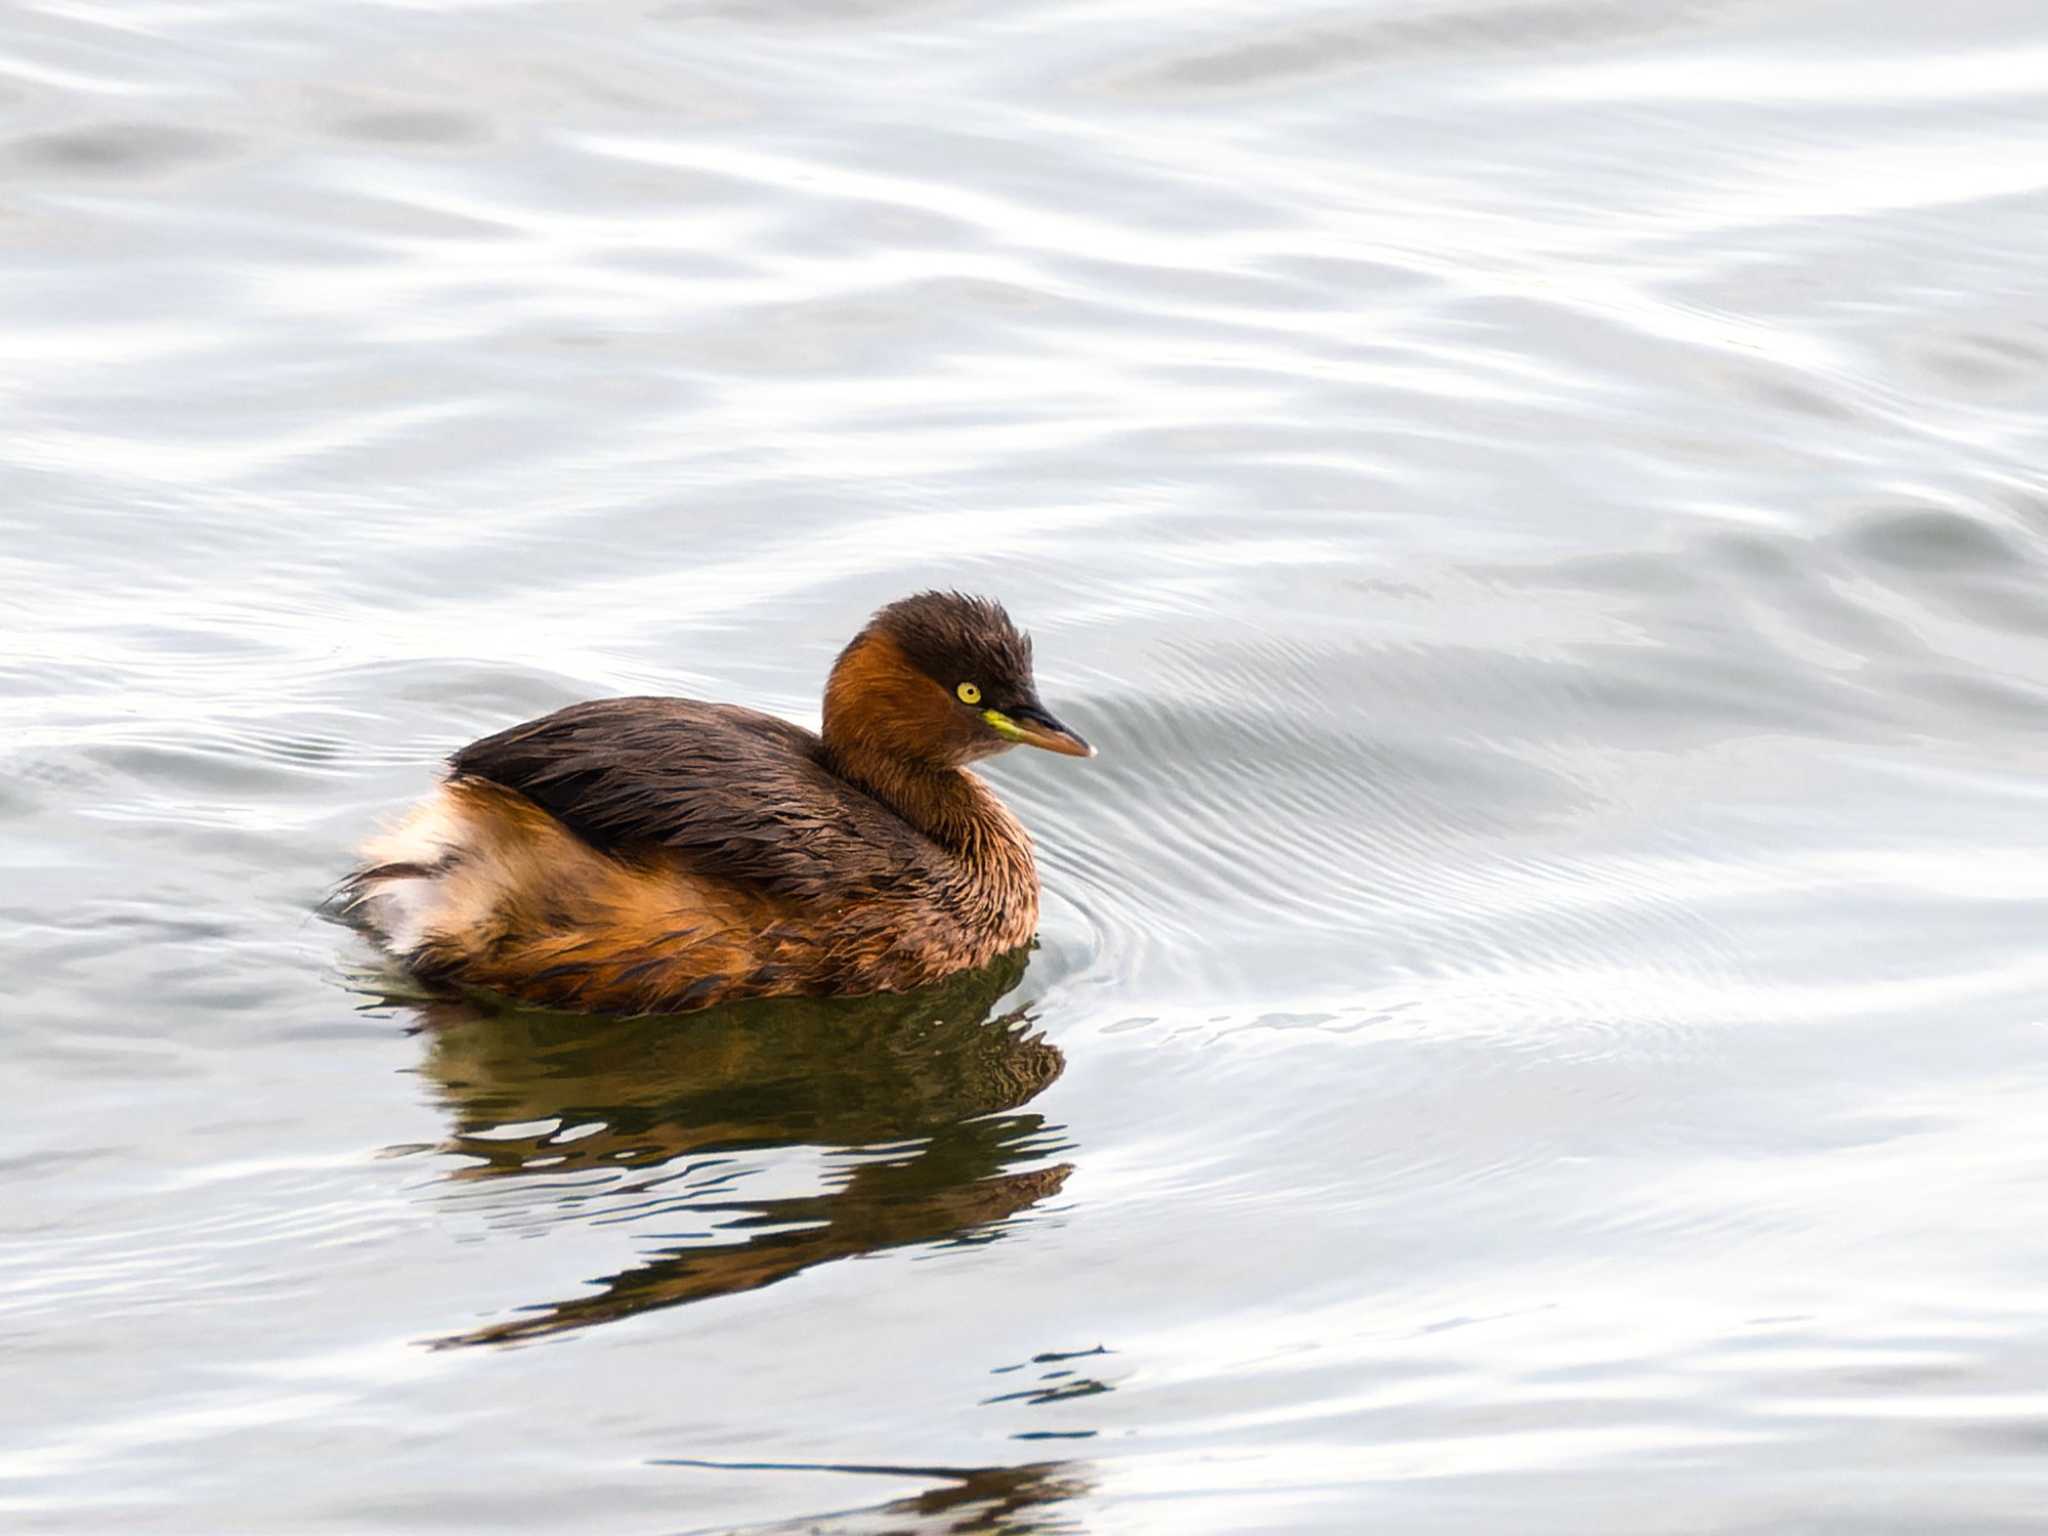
column 658, row 855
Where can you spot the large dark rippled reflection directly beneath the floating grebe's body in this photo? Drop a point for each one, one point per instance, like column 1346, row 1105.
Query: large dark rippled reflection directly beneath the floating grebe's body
column 658, row 1117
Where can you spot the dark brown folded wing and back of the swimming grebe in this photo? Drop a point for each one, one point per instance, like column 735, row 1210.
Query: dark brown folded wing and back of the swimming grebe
column 740, row 796
